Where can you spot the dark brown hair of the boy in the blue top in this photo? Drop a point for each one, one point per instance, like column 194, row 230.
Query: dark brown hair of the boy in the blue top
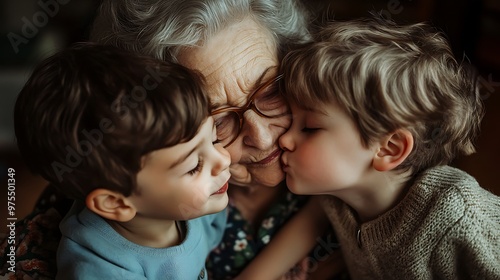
column 89, row 113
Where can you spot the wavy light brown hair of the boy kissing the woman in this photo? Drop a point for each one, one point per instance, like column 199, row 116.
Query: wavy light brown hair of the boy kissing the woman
column 387, row 77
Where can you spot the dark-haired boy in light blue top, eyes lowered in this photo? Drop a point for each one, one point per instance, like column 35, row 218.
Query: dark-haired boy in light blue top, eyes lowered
column 131, row 139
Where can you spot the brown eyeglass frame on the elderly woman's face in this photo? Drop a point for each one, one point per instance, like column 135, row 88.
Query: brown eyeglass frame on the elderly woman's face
column 250, row 105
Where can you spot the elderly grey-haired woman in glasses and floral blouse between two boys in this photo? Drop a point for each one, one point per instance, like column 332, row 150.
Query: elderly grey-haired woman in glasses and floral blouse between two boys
column 236, row 45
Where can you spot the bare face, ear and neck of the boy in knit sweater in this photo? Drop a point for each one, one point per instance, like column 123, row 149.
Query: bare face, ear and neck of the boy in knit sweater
column 323, row 154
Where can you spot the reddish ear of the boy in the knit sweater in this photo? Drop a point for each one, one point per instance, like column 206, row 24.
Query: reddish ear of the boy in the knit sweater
column 393, row 150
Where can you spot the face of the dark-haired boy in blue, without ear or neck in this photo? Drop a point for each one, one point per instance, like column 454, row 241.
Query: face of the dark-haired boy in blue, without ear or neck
column 180, row 182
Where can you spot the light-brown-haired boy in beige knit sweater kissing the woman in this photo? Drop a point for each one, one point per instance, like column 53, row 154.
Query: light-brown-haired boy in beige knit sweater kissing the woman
column 379, row 110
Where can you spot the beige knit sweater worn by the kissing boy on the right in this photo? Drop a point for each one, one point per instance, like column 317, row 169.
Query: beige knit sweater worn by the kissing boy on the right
column 446, row 227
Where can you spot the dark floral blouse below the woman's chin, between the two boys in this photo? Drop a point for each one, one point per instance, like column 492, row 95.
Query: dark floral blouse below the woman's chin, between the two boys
column 242, row 241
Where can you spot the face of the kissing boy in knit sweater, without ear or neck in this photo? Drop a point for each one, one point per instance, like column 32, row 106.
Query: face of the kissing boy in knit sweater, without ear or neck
column 323, row 152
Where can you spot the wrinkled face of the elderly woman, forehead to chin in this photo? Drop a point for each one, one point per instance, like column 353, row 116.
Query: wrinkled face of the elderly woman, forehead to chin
column 235, row 62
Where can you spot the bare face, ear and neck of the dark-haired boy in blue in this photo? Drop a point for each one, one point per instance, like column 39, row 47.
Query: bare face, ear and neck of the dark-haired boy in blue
column 181, row 182
